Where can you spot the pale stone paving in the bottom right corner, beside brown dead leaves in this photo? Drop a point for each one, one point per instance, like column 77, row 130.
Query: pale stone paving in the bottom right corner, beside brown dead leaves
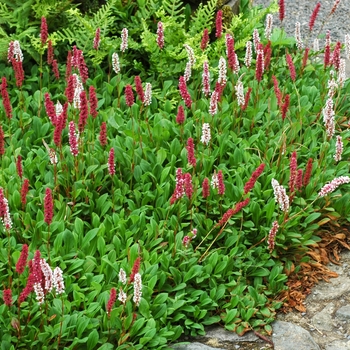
column 324, row 326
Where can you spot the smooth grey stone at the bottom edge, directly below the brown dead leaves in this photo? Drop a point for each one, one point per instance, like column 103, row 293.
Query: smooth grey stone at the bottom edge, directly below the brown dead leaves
column 288, row 336
